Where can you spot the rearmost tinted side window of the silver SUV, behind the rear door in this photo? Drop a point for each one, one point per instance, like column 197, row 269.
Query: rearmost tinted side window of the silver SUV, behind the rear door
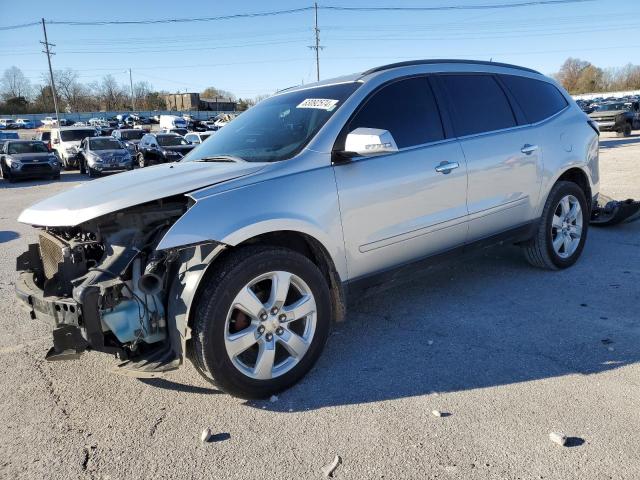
column 537, row 99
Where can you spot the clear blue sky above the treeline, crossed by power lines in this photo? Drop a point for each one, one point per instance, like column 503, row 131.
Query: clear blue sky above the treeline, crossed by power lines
column 260, row 55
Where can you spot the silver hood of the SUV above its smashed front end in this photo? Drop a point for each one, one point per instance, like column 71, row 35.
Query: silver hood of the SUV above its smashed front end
column 110, row 194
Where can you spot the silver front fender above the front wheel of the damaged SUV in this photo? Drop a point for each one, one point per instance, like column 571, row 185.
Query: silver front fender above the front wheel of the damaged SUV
column 305, row 202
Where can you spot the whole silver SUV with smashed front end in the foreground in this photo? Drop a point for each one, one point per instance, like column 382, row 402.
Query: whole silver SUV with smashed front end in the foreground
column 241, row 256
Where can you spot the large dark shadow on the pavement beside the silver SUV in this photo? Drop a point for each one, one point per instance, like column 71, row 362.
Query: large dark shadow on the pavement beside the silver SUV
column 487, row 321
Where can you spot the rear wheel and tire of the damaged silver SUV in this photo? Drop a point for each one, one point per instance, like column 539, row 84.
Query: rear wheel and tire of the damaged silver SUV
column 540, row 251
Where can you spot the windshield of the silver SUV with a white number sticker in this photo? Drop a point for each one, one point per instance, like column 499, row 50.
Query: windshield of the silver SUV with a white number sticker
column 278, row 127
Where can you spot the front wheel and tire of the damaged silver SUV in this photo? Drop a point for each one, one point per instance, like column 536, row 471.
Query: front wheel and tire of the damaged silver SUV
column 214, row 322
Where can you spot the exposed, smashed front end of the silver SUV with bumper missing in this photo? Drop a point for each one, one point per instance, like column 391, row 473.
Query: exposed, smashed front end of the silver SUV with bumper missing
column 104, row 286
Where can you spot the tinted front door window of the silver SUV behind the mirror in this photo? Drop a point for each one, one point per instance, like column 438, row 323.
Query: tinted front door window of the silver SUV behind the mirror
column 407, row 109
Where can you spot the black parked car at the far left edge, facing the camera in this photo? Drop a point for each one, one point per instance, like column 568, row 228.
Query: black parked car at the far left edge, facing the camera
column 28, row 159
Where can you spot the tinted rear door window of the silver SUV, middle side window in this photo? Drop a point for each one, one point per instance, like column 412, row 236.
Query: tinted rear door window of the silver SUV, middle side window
column 478, row 104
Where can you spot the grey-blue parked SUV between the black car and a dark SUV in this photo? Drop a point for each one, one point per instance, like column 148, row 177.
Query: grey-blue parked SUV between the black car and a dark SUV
column 100, row 155
